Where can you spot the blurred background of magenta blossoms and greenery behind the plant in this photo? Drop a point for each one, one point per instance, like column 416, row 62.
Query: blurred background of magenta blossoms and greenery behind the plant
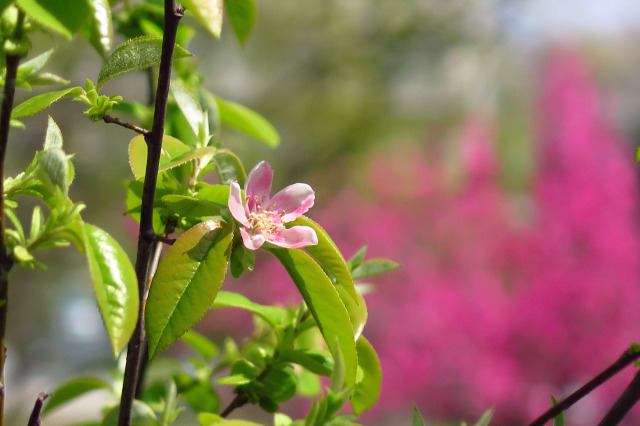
column 487, row 146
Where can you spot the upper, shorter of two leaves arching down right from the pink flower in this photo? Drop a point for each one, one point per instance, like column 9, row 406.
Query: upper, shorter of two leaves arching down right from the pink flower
column 327, row 254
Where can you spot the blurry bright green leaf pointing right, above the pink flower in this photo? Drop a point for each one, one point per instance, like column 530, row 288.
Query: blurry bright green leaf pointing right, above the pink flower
column 247, row 121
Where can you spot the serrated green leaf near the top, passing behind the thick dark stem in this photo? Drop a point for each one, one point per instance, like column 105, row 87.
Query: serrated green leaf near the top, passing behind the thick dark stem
column 135, row 54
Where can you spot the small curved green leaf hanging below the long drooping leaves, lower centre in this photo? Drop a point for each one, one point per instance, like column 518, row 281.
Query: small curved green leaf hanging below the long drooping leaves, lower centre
column 368, row 389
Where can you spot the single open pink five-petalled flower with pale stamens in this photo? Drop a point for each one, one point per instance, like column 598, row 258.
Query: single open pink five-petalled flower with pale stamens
column 263, row 217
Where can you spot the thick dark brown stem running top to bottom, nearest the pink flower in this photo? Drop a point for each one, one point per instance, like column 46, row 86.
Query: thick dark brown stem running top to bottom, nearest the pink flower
column 146, row 236
